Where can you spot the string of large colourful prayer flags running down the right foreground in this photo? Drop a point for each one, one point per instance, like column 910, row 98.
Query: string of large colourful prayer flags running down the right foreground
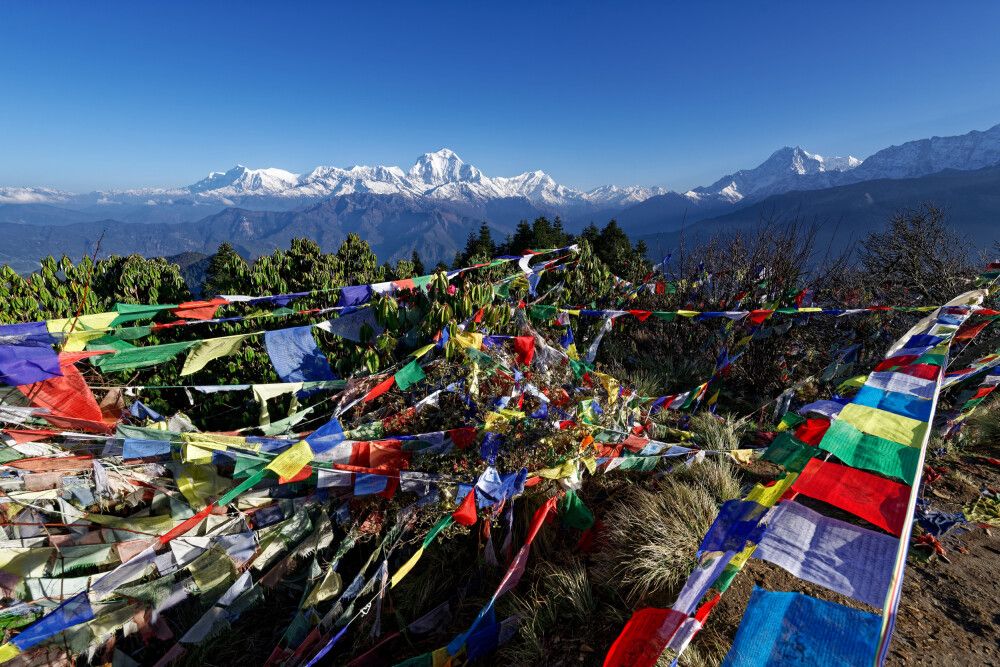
column 884, row 429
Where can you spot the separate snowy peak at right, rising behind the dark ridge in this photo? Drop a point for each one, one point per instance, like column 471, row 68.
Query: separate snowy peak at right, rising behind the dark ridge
column 786, row 169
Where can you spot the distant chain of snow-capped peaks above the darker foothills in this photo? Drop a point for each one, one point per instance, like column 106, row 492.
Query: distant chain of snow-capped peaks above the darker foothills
column 442, row 178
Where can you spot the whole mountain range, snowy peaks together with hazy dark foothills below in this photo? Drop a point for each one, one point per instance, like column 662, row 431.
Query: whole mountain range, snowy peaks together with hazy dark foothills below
column 432, row 206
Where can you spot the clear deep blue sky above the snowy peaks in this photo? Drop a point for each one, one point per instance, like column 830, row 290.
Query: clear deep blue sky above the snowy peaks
column 105, row 94
